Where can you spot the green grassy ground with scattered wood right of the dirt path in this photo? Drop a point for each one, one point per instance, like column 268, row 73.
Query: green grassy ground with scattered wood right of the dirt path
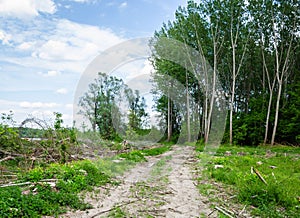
column 265, row 179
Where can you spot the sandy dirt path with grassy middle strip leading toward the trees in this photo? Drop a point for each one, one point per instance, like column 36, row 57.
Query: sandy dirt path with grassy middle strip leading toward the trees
column 161, row 187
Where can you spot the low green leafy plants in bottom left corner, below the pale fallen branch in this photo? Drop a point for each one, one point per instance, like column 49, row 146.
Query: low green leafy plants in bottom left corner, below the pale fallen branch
column 41, row 200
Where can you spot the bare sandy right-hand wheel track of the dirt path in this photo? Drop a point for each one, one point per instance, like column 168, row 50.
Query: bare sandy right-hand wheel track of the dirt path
column 186, row 200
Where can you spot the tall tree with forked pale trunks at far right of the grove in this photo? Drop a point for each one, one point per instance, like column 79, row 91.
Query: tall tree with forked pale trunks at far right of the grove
column 278, row 24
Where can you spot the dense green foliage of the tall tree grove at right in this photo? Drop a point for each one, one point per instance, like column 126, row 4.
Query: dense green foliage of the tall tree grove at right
column 260, row 52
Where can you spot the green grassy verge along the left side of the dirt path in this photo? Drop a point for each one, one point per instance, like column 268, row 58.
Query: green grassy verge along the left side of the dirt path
column 55, row 188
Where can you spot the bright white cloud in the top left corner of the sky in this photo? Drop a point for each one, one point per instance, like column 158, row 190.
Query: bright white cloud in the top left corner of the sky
column 26, row 8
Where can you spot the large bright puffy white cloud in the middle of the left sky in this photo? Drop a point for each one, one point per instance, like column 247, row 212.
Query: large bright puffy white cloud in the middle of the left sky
column 75, row 42
